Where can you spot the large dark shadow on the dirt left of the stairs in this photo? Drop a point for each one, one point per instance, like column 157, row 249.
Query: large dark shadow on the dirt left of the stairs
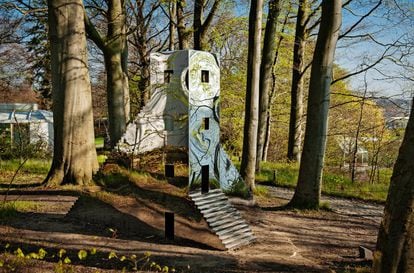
column 91, row 216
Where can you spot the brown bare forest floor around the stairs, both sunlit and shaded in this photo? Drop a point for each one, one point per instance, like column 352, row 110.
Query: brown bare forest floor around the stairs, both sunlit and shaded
column 132, row 224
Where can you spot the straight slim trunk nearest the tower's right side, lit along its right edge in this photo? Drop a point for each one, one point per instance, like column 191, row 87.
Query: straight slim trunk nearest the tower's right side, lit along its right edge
column 247, row 168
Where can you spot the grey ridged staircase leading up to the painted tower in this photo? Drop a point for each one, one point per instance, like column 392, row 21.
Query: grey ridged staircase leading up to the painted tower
column 224, row 219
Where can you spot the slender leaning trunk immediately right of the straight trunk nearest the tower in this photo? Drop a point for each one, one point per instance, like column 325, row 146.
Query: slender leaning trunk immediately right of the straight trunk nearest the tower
column 269, row 52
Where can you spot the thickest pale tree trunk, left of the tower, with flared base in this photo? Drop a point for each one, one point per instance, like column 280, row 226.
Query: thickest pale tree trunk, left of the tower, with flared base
column 74, row 157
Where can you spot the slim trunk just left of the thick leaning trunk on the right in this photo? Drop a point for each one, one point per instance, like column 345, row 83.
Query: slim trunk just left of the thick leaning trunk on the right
column 296, row 105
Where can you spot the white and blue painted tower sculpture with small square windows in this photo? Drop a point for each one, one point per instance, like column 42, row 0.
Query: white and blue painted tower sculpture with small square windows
column 184, row 112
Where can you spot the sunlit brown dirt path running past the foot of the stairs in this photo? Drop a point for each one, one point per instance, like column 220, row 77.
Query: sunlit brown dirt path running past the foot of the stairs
column 287, row 241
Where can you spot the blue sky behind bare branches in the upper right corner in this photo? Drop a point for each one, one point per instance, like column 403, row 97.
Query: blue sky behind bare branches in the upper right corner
column 387, row 25
